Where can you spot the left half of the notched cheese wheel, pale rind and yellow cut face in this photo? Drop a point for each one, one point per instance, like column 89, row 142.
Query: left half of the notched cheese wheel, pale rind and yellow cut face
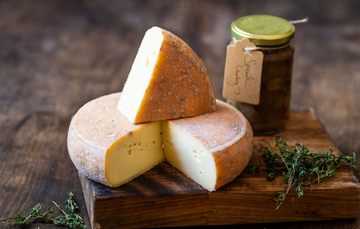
column 109, row 149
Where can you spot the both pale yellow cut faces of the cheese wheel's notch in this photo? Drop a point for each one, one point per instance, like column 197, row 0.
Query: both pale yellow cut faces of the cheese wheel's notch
column 154, row 143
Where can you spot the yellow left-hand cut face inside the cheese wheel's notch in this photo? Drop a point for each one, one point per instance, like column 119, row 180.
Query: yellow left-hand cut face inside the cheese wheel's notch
column 134, row 154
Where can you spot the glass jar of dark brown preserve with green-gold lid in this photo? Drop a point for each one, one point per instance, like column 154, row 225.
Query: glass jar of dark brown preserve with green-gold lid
column 272, row 36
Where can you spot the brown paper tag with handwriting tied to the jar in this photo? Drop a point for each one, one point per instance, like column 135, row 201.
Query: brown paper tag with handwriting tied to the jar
column 242, row 78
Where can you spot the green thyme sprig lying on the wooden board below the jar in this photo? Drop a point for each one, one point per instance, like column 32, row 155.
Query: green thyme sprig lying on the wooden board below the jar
column 300, row 168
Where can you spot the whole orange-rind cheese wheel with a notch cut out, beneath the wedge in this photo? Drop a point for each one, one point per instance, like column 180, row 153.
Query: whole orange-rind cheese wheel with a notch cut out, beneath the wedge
column 211, row 149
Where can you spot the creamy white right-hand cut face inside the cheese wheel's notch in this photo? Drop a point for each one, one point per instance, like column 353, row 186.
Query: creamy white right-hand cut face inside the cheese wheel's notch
column 189, row 156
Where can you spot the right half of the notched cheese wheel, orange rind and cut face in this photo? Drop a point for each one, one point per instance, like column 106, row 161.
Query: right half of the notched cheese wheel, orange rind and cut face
column 211, row 149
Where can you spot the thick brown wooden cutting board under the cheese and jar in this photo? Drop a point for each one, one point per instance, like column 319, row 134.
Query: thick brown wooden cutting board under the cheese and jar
column 164, row 197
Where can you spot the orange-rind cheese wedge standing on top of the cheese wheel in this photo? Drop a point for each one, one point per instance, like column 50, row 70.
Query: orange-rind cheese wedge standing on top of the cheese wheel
column 167, row 81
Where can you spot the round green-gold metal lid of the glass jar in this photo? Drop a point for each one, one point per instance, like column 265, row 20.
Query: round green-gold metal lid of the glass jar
column 263, row 30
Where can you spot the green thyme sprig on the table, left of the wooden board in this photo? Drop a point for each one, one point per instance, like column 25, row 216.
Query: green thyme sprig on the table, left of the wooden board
column 70, row 220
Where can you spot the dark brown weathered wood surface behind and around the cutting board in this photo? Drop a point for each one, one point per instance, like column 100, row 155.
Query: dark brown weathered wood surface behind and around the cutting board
column 57, row 55
